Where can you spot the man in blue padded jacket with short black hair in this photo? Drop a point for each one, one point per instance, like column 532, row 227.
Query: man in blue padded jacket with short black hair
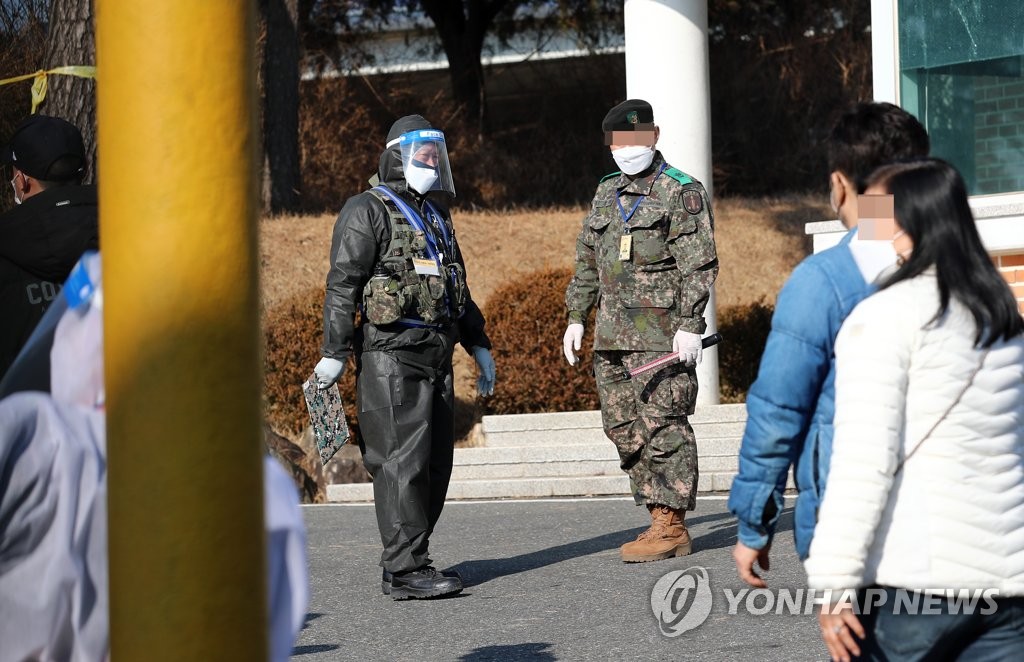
column 790, row 407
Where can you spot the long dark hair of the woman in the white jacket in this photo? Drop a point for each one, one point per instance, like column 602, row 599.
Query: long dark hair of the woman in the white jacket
column 931, row 206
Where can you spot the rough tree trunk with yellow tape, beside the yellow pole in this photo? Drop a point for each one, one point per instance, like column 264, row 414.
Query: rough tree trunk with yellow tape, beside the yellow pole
column 71, row 40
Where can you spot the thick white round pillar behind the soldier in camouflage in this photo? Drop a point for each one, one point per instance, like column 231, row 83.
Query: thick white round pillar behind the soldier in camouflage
column 667, row 65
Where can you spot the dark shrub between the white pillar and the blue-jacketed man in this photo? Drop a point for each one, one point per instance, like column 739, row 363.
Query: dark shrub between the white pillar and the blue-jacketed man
column 745, row 332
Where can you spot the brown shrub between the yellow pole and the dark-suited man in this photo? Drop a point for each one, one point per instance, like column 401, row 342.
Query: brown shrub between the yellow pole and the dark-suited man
column 293, row 336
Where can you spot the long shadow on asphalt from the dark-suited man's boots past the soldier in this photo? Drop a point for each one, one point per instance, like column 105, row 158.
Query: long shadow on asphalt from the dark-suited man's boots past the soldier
column 479, row 572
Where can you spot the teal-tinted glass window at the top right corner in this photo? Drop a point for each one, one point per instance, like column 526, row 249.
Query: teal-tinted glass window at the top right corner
column 962, row 74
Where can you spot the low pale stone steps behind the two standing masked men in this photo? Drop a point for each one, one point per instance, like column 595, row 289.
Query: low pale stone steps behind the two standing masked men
column 568, row 454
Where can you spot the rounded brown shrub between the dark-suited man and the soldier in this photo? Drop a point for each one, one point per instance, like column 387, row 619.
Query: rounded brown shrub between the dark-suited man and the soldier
column 526, row 323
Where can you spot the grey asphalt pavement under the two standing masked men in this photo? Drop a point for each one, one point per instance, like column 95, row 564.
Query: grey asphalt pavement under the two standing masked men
column 545, row 584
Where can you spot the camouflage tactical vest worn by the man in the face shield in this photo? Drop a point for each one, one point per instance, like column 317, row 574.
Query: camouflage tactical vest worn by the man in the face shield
column 417, row 283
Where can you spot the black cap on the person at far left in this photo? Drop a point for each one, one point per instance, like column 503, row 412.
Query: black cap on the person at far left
column 47, row 148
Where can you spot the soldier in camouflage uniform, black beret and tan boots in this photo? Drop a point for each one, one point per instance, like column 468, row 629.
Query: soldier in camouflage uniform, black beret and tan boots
column 646, row 257
